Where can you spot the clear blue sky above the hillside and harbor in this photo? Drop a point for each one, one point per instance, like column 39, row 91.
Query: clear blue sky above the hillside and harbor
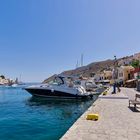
column 41, row 37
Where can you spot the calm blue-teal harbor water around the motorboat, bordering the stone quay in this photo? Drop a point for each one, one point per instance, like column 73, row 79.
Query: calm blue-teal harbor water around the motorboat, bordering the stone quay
column 23, row 117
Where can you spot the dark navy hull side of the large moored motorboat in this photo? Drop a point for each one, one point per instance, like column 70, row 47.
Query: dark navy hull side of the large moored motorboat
column 54, row 94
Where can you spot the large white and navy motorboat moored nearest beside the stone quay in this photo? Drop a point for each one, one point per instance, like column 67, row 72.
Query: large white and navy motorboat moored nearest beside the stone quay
column 60, row 87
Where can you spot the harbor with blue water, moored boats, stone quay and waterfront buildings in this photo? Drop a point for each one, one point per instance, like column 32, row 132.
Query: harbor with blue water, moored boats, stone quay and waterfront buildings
column 68, row 100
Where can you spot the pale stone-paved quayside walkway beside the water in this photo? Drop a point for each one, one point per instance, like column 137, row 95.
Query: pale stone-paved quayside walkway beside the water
column 117, row 121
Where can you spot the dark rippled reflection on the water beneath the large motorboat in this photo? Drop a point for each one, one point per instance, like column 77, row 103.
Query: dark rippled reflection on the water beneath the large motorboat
column 68, row 107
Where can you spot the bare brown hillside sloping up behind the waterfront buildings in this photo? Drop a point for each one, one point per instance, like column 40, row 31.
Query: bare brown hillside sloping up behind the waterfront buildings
column 96, row 67
